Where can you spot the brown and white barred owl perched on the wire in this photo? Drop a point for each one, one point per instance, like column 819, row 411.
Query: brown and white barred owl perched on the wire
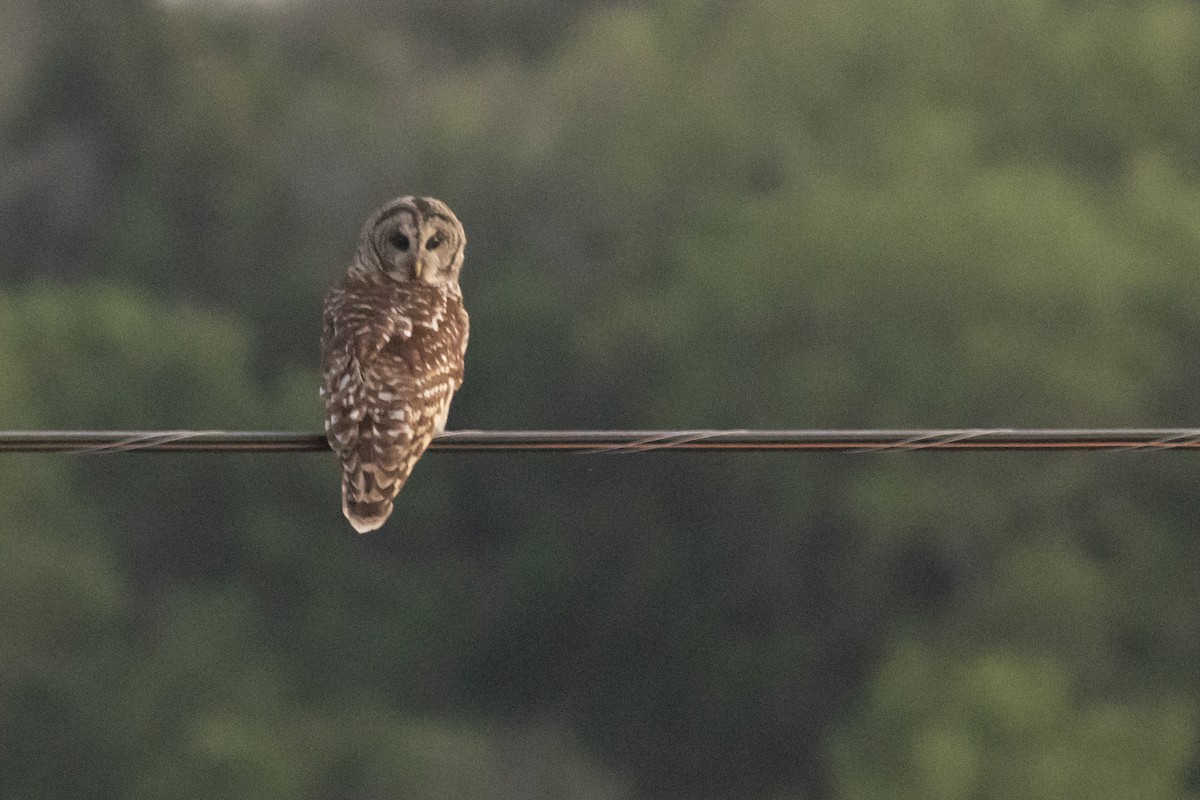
column 394, row 334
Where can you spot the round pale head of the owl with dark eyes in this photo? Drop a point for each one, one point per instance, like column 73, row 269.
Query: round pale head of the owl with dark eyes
column 413, row 239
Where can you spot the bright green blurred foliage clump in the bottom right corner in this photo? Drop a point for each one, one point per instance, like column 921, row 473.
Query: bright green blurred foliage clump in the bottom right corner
column 995, row 725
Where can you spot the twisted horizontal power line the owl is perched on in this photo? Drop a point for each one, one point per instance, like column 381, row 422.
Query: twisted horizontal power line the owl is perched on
column 622, row 441
